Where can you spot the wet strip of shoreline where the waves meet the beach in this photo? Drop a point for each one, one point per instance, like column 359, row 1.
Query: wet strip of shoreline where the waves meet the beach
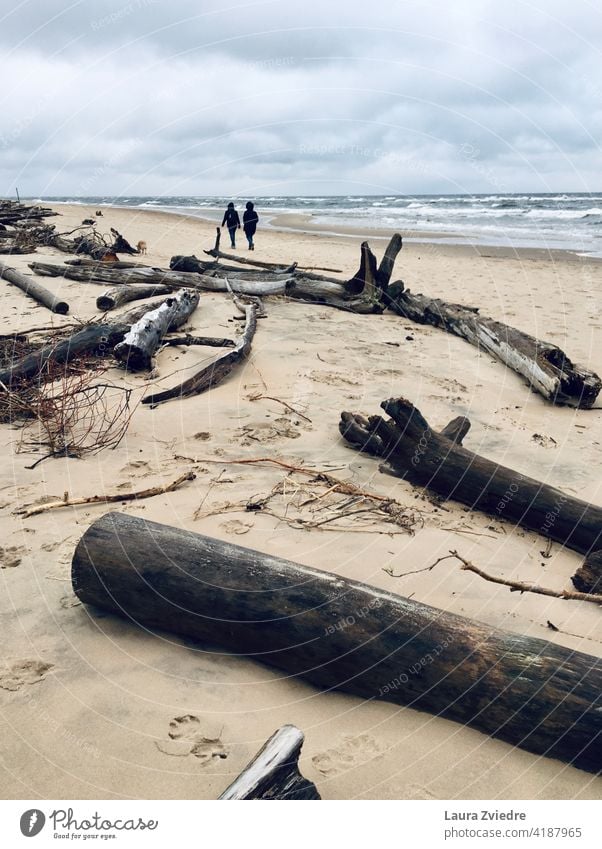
column 296, row 222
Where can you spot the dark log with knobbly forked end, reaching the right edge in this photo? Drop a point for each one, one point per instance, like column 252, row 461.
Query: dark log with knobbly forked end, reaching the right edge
column 427, row 458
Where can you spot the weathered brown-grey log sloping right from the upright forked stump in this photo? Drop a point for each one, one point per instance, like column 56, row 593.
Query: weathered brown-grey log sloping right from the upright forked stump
column 546, row 367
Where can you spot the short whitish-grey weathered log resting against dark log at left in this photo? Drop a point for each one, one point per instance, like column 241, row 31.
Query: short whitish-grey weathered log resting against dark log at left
column 141, row 341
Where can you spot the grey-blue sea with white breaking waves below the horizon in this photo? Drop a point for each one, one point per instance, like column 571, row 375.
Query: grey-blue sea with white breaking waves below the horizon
column 571, row 221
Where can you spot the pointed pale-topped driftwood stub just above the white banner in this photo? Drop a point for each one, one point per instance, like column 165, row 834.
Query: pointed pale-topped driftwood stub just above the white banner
column 274, row 771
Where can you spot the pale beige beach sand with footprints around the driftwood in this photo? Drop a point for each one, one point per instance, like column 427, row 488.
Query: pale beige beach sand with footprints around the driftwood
column 88, row 702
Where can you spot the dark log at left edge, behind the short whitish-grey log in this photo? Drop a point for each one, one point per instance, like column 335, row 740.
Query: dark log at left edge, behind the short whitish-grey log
column 99, row 339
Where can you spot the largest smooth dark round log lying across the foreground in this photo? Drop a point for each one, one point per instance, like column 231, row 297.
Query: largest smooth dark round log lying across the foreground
column 344, row 635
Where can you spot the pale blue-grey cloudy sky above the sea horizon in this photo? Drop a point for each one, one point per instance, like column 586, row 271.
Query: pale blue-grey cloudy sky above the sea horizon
column 287, row 97
